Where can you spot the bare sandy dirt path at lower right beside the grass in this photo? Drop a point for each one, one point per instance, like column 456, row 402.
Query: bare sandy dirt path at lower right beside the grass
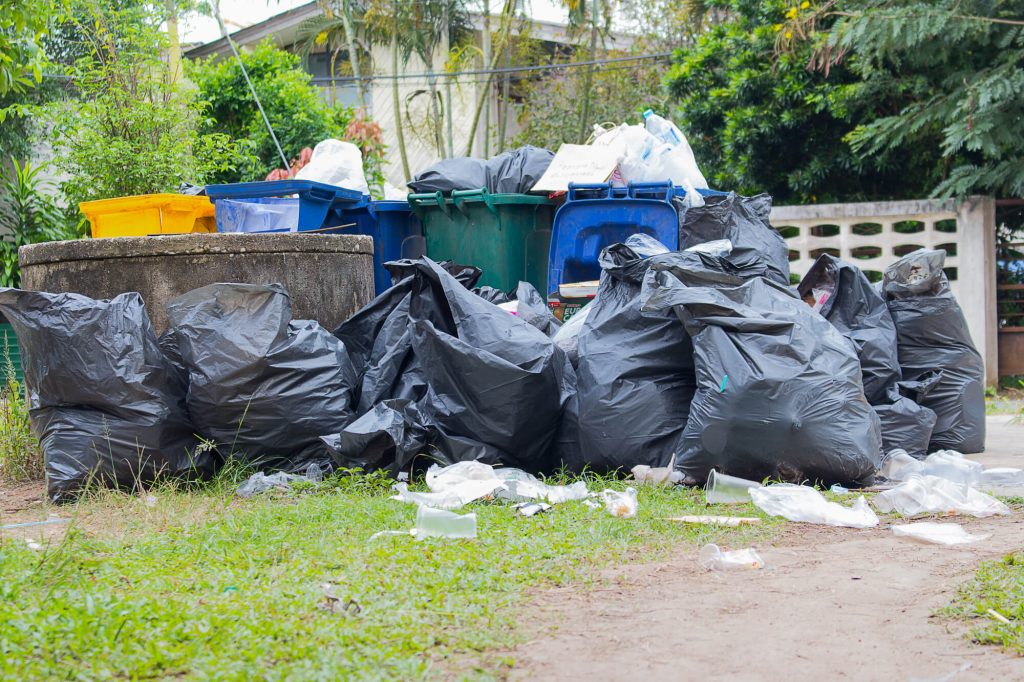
column 833, row 605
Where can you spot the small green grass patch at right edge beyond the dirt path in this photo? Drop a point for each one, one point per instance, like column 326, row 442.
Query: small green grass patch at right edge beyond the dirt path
column 997, row 590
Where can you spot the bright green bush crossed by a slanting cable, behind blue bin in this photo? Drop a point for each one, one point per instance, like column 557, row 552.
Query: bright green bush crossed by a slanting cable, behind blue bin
column 301, row 118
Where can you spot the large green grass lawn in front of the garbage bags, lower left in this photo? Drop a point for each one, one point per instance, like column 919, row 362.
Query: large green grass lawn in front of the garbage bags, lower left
column 204, row 585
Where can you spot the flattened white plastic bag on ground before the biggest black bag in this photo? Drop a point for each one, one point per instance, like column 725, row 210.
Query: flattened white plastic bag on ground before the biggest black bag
column 804, row 504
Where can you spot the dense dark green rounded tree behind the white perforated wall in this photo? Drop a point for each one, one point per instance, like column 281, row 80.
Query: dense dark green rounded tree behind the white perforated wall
column 759, row 120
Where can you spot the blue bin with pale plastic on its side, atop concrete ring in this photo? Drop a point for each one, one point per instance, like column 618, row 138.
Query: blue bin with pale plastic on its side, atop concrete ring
column 251, row 207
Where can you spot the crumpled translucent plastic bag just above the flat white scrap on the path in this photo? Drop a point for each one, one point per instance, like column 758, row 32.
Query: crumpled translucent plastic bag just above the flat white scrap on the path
column 931, row 495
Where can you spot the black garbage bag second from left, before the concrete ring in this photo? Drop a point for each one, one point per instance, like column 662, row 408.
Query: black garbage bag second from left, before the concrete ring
column 262, row 387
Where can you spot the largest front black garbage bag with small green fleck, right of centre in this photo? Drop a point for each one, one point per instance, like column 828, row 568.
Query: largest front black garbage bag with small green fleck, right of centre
column 779, row 389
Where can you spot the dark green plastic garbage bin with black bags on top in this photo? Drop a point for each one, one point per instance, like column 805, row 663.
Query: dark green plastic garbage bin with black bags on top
column 506, row 236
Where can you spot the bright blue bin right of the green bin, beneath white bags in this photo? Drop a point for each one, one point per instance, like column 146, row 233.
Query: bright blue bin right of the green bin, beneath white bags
column 595, row 217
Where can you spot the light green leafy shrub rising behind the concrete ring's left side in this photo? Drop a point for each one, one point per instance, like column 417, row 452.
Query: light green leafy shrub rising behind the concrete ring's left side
column 131, row 131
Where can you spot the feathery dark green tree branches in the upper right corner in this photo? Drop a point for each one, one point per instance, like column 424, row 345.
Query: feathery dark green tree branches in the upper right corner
column 962, row 61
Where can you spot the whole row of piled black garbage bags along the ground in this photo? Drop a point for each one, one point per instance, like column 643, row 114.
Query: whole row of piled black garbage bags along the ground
column 703, row 359
